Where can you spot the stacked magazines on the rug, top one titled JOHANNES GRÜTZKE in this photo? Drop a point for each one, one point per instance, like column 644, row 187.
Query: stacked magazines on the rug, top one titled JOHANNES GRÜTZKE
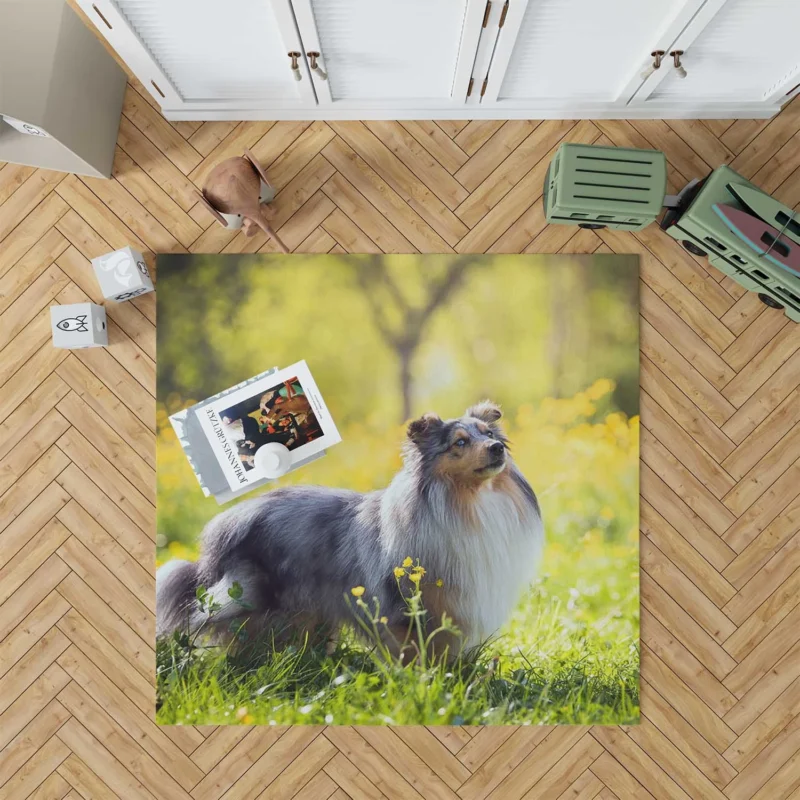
column 222, row 434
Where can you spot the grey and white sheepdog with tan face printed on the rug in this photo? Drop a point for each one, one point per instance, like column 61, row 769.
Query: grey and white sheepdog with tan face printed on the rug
column 459, row 506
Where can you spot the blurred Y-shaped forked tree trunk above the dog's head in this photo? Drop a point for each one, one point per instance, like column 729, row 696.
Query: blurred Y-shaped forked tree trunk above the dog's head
column 383, row 293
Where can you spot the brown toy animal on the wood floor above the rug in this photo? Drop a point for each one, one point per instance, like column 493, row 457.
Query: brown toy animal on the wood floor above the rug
column 235, row 195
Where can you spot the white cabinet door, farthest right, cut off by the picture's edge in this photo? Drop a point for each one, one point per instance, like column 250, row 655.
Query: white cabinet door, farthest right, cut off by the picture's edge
column 735, row 51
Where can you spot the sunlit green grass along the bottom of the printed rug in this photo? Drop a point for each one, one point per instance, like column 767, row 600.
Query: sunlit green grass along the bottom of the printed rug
column 569, row 655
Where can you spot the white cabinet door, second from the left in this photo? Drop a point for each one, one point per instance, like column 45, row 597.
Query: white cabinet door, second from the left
column 390, row 54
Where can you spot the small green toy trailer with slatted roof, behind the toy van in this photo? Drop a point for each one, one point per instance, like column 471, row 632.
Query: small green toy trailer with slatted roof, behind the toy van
column 605, row 187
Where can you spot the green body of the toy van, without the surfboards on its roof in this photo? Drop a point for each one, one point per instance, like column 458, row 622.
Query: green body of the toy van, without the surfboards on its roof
column 702, row 232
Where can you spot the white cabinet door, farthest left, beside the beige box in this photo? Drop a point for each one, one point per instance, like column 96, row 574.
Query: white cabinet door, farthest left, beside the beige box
column 218, row 55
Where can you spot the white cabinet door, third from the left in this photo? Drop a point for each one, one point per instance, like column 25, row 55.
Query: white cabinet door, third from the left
column 577, row 53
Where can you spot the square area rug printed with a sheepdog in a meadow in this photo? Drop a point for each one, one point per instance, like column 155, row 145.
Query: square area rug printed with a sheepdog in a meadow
column 455, row 537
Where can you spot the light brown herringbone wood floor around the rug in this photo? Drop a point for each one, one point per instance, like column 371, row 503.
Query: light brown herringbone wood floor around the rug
column 720, row 470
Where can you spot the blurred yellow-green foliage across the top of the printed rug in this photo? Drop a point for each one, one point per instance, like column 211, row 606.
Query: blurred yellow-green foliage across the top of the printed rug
column 515, row 328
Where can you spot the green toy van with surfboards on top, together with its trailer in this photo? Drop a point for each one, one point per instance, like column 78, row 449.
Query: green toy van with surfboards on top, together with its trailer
column 598, row 187
